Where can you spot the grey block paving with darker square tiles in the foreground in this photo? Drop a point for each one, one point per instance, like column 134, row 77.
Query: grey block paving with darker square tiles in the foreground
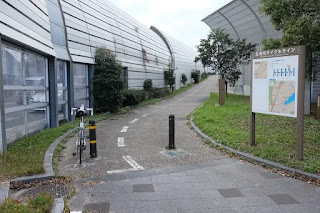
column 224, row 185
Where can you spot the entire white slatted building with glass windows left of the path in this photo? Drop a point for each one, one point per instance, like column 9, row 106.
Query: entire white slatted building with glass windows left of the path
column 47, row 58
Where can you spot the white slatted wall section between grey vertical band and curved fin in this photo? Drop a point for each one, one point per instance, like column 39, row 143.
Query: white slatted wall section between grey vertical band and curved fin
column 96, row 23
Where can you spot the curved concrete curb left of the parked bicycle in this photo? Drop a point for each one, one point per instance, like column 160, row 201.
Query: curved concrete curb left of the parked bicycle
column 47, row 163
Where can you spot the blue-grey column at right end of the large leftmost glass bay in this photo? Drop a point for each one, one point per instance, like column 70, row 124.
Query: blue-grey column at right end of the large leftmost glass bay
column 53, row 92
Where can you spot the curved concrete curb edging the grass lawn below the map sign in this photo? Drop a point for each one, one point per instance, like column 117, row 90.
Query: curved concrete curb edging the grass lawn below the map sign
column 256, row 159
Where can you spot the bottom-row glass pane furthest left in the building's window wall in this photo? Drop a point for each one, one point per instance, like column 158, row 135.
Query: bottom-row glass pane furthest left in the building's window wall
column 15, row 127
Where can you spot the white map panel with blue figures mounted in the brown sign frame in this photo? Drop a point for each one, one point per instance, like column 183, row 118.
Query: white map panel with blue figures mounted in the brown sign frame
column 274, row 85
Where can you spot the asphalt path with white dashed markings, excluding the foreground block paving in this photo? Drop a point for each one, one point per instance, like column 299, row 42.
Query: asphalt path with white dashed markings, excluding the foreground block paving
column 137, row 141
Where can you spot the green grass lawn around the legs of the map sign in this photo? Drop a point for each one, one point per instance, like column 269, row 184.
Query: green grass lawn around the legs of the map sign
column 275, row 135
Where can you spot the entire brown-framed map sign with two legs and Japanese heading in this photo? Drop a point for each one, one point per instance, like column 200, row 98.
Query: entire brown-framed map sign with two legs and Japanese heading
column 278, row 87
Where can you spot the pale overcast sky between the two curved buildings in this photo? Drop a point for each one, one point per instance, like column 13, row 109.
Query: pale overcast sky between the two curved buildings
column 178, row 18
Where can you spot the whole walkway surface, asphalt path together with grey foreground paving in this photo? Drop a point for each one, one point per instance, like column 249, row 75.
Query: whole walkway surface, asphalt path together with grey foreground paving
column 135, row 173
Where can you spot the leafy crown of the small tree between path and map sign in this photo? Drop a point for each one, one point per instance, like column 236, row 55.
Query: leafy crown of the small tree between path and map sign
column 223, row 54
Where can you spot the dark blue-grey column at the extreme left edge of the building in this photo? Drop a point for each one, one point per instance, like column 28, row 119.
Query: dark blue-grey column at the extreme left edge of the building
column 3, row 138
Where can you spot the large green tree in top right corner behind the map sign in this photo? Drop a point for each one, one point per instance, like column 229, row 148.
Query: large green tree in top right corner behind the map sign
column 299, row 21
